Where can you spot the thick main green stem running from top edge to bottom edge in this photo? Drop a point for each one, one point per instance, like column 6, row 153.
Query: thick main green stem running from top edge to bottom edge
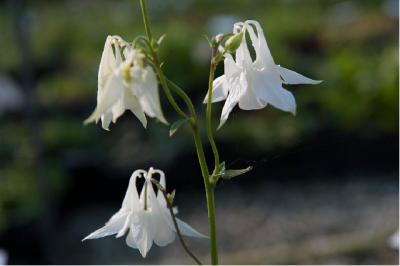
column 209, row 187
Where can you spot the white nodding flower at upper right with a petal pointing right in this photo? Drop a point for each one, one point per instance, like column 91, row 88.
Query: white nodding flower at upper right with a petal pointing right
column 254, row 84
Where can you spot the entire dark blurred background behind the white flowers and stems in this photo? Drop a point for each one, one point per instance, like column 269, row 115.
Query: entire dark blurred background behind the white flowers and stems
column 325, row 185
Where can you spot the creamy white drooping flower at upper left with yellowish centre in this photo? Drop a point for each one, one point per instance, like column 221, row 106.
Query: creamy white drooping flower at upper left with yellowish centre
column 125, row 83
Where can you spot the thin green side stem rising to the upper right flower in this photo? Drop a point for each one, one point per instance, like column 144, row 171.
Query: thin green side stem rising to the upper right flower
column 209, row 112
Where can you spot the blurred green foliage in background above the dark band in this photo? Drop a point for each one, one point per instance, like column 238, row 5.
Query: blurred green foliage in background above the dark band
column 351, row 45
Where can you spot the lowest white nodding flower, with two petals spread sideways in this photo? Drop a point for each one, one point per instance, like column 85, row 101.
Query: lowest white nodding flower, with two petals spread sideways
column 146, row 217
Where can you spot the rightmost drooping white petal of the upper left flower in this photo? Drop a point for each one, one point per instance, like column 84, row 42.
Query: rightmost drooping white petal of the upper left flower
column 147, row 93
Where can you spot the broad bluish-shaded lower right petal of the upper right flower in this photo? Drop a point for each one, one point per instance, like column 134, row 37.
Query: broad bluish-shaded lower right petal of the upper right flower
column 268, row 88
